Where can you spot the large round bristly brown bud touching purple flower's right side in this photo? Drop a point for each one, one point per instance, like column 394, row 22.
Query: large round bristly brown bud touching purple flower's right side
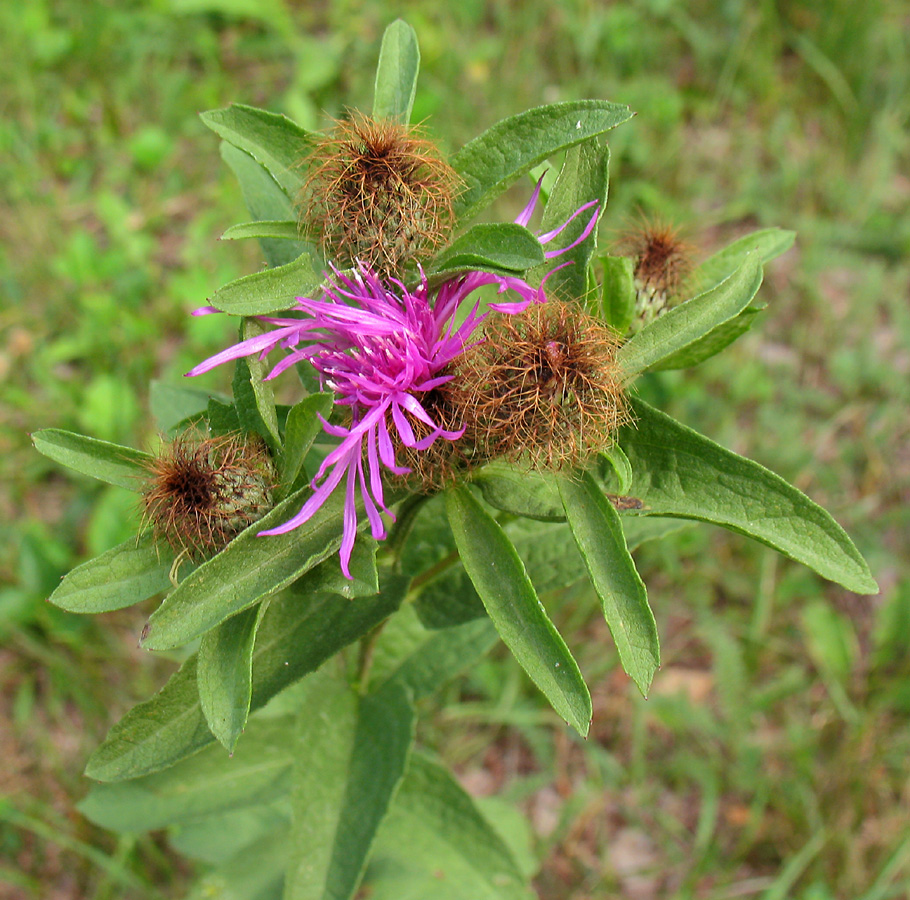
column 543, row 388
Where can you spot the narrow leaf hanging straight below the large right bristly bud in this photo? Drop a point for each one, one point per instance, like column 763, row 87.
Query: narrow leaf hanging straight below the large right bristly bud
column 599, row 536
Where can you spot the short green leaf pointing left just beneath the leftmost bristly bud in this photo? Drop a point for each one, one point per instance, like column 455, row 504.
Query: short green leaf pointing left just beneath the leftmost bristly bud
column 130, row 573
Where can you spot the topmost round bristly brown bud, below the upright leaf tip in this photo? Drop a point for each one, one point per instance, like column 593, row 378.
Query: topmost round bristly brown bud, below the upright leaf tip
column 376, row 192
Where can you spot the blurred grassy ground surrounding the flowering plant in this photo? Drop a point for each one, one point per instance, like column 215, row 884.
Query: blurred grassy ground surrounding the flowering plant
column 771, row 759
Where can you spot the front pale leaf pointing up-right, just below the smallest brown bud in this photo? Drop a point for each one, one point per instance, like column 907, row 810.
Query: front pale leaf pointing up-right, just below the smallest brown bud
column 688, row 323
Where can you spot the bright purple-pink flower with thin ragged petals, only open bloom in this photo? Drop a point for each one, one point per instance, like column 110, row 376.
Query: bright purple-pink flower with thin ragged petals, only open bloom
column 379, row 347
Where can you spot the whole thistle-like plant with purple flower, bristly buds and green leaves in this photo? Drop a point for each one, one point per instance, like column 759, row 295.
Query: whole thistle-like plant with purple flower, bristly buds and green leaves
column 467, row 436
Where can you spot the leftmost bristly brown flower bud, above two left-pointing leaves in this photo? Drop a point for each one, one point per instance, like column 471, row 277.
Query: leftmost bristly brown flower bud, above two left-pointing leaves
column 202, row 492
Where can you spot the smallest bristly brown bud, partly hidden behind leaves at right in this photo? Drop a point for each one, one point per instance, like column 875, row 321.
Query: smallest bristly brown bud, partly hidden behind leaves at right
column 662, row 262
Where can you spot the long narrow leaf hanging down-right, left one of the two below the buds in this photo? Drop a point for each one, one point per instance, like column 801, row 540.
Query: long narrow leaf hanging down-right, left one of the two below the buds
column 509, row 597
